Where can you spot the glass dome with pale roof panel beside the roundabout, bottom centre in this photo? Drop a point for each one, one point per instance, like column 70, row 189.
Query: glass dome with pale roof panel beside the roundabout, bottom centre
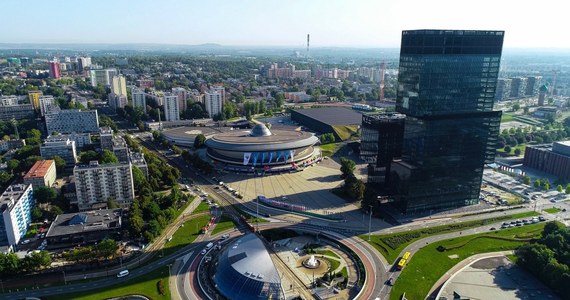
column 245, row 271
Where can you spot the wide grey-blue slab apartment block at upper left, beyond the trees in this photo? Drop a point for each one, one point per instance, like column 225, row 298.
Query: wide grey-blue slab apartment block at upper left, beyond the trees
column 72, row 120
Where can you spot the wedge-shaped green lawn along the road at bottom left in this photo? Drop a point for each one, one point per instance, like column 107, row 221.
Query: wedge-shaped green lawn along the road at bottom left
column 146, row 285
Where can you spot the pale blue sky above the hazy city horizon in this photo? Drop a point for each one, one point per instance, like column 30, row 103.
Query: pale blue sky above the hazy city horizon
column 355, row 23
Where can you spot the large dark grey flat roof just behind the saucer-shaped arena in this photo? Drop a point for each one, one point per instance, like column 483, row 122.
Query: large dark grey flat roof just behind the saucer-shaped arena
column 332, row 115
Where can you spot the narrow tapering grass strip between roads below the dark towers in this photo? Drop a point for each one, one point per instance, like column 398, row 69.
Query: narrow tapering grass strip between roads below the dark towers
column 391, row 245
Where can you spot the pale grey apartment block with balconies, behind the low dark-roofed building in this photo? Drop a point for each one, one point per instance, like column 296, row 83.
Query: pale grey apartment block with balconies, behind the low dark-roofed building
column 95, row 184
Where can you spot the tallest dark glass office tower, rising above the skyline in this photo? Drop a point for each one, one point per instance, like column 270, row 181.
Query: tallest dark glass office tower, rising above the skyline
column 446, row 88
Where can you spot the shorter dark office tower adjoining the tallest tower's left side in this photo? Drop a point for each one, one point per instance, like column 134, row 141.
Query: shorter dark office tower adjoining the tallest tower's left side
column 381, row 142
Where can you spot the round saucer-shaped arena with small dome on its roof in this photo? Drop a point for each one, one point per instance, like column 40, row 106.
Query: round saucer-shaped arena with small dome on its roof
column 260, row 148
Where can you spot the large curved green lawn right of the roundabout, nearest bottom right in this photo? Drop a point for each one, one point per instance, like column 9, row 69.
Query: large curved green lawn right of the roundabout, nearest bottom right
column 428, row 264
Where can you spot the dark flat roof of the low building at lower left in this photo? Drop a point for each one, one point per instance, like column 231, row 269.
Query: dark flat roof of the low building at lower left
column 94, row 220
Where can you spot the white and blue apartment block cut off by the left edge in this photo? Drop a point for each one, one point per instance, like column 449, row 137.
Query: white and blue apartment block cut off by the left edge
column 16, row 204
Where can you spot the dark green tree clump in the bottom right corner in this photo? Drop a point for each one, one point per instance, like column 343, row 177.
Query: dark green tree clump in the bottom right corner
column 549, row 258
